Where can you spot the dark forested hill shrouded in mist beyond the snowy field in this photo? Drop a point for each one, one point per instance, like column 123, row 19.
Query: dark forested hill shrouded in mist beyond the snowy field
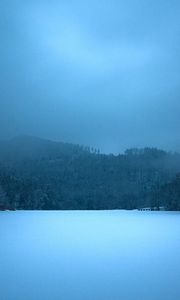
column 41, row 174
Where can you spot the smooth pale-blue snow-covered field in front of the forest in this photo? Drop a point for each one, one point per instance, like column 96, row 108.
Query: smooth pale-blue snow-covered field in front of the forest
column 80, row 255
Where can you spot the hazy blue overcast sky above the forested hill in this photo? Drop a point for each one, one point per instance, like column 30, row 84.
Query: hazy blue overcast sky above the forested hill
column 99, row 73
